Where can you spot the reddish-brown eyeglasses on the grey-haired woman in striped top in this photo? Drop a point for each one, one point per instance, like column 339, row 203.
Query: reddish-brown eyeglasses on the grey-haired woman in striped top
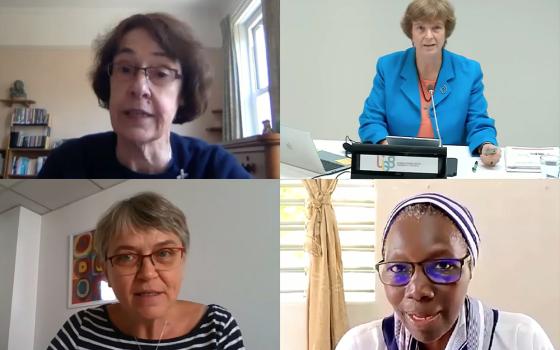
column 162, row 259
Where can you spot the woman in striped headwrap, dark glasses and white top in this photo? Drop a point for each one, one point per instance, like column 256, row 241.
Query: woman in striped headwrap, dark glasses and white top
column 430, row 247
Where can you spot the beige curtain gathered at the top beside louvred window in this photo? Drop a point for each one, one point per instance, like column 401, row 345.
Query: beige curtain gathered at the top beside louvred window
column 326, row 310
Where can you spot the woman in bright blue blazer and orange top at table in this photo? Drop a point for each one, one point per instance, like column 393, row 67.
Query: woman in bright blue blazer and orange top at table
column 400, row 102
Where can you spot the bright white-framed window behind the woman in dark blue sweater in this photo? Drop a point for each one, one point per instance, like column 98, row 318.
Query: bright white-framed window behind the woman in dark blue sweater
column 253, row 68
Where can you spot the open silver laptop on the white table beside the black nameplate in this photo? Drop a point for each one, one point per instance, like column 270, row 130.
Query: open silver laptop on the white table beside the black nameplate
column 297, row 149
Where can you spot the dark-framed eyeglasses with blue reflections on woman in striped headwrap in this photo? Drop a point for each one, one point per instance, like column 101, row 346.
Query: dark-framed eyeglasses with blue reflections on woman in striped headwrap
column 439, row 271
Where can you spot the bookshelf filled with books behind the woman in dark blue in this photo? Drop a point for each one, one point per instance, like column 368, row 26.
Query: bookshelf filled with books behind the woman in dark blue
column 28, row 143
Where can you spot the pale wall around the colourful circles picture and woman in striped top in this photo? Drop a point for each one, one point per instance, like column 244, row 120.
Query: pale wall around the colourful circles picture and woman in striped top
column 234, row 232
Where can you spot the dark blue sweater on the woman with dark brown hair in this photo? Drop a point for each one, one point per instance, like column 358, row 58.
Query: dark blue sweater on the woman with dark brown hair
column 94, row 157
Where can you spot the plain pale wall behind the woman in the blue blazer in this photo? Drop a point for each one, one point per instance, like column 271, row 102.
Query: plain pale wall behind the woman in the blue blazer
column 330, row 48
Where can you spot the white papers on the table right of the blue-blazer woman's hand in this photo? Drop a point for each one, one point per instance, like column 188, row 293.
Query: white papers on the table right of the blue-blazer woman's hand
column 527, row 159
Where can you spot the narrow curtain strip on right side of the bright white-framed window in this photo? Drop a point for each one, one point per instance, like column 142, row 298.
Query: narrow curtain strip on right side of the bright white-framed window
column 271, row 22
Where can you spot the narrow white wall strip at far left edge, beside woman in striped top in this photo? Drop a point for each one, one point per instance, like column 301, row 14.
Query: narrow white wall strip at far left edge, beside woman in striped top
column 8, row 241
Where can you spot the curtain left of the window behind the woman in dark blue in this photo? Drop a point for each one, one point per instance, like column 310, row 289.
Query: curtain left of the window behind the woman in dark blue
column 231, row 117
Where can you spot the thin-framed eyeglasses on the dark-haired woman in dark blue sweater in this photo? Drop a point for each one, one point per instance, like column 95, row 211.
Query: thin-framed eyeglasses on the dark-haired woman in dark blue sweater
column 159, row 76
